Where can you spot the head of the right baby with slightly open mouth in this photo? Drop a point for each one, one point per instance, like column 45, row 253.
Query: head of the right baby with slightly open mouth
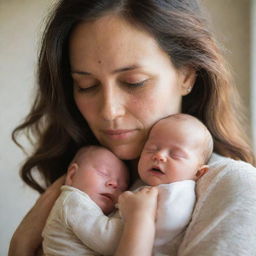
column 178, row 148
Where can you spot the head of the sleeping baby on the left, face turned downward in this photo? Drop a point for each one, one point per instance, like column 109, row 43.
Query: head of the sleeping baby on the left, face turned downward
column 99, row 173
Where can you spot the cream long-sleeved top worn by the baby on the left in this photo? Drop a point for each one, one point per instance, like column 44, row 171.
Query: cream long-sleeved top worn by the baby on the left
column 76, row 221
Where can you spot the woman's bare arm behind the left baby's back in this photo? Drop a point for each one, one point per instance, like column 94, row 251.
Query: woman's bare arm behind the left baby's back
column 27, row 237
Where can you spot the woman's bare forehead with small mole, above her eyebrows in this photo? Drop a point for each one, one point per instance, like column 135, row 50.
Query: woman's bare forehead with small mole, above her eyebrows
column 111, row 42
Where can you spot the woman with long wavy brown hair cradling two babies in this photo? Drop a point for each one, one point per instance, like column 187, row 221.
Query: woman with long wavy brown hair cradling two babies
column 108, row 70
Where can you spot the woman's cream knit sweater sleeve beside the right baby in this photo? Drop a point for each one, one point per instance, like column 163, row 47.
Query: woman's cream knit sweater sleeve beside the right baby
column 224, row 219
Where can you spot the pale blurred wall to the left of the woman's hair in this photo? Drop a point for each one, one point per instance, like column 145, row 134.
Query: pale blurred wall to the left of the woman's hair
column 20, row 28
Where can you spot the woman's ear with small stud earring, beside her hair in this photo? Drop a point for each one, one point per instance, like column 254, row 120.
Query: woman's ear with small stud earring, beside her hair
column 187, row 80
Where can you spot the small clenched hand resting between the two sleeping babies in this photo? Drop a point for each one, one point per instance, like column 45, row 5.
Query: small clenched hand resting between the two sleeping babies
column 138, row 204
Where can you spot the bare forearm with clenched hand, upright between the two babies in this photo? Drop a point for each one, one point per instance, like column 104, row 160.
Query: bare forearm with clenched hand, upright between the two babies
column 138, row 210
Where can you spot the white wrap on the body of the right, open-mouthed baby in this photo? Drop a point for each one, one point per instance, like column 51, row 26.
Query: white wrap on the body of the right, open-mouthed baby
column 175, row 206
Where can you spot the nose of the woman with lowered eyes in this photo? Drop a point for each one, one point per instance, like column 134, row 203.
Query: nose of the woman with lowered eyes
column 112, row 105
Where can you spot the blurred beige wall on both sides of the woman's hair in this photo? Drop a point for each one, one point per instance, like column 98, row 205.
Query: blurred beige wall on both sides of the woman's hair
column 20, row 26
